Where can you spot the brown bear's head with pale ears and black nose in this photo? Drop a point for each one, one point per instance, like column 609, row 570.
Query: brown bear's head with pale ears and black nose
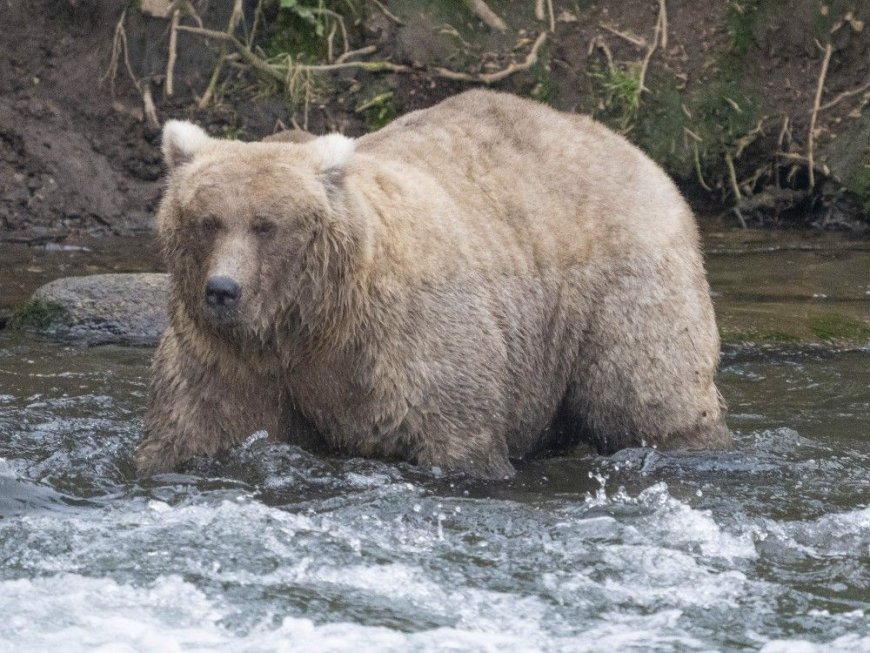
column 257, row 234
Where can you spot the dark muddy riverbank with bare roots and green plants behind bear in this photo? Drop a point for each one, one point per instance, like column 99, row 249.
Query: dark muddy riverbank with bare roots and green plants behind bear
column 757, row 107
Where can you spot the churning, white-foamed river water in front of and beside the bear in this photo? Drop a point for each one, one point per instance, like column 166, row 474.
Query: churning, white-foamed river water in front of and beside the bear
column 766, row 547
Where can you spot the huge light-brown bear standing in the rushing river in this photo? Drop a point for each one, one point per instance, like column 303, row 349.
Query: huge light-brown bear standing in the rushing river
column 476, row 282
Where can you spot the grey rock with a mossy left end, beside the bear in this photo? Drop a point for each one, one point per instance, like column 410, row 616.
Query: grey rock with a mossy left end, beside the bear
column 99, row 309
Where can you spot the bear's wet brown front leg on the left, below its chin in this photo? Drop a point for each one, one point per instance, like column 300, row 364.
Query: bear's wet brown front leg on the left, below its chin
column 198, row 406
